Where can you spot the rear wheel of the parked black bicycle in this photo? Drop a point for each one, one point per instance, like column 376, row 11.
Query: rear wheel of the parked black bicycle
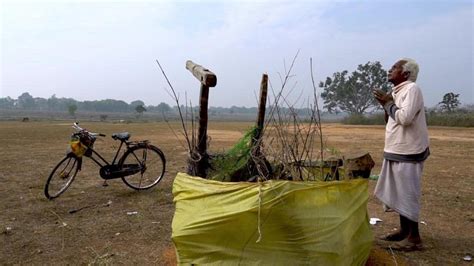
column 145, row 165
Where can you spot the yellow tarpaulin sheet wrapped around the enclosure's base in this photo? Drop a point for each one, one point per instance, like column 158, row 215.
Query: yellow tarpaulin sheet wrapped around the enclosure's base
column 309, row 223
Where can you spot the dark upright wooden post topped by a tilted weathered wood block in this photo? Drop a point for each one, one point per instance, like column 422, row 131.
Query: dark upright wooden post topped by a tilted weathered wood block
column 207, row 79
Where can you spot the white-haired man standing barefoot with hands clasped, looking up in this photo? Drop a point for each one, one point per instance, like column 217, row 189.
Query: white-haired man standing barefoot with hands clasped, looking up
column 406, row 148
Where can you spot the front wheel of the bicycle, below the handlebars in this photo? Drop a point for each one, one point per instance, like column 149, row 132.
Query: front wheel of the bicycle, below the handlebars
column 61, row 177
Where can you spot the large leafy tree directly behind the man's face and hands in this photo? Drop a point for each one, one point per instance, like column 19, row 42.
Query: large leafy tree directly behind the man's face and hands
column 352, row 93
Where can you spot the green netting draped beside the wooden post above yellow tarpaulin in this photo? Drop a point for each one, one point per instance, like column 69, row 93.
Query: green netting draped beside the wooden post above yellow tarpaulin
column 224, row 166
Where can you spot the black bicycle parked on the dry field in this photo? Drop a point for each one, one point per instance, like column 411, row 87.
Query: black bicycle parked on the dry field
column 140, row 167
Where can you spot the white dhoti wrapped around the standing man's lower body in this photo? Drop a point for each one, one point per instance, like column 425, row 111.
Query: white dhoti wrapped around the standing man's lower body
column 399, row 187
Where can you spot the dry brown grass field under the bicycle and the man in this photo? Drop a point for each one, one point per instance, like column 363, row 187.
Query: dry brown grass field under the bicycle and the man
column 37, row 231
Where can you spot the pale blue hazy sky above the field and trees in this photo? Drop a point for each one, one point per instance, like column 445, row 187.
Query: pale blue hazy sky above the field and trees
column 102, row 49
